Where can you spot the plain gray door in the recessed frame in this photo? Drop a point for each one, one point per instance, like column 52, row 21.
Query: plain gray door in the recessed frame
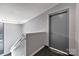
column 59, row 31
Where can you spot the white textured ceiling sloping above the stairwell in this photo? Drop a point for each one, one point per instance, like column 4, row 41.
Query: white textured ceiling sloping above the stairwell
column 18, row 13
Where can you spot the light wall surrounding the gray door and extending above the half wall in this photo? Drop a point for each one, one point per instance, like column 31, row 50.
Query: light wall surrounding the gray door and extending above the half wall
column 41, row 24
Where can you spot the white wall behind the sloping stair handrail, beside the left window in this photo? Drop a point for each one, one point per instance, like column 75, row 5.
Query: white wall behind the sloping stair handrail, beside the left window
column 12, row 32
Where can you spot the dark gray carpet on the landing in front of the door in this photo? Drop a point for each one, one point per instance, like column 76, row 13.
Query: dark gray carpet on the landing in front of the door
column 47, row 52
